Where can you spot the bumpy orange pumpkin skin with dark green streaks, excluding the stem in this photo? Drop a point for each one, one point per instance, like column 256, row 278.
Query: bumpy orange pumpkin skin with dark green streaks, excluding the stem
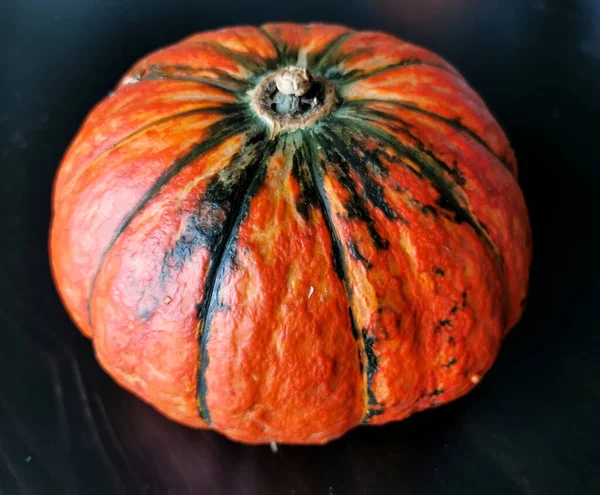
column 288, row 286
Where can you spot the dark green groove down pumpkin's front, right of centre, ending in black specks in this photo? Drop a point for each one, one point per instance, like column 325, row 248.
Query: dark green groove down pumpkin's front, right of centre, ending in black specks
column 339, row 265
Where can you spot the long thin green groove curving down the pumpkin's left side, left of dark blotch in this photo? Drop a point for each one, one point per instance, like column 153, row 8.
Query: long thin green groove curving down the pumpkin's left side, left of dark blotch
column 218, row 132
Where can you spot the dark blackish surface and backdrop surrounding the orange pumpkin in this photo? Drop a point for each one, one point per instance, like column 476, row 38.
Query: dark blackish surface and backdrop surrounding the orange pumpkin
column 532, row 427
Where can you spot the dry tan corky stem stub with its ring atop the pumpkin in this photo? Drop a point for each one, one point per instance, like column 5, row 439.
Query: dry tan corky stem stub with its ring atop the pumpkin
column 292, row 99
